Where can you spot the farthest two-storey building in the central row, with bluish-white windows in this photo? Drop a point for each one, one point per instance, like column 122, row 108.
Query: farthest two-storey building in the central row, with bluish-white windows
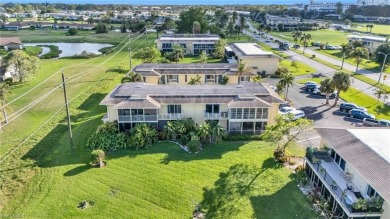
column 193, row 44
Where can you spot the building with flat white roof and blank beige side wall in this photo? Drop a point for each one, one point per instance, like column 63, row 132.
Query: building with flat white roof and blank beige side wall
column 251, row 54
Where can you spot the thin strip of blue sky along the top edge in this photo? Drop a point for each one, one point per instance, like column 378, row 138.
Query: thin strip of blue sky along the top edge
column 177, row 2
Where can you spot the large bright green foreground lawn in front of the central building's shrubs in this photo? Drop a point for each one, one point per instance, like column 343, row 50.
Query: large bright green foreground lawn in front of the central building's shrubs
column 164, row 182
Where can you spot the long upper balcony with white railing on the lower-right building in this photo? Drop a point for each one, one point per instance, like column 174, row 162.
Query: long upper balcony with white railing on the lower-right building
column 338, row 185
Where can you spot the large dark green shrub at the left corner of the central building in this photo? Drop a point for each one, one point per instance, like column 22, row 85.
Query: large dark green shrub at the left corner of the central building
column 107, row 137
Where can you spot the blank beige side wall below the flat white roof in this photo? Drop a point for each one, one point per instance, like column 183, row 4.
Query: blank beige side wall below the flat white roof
column 269, row 65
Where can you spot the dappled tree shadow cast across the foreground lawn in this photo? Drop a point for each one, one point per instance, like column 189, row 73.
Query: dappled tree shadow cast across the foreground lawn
column 225, row 199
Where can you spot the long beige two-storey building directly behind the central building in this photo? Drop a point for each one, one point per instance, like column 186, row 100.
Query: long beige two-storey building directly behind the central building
column 181, row 74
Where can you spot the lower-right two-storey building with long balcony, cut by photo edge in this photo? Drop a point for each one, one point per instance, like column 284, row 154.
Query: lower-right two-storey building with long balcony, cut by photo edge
column 357, row 165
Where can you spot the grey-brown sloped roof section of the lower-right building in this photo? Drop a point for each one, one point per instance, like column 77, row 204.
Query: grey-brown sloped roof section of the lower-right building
column 371, row 166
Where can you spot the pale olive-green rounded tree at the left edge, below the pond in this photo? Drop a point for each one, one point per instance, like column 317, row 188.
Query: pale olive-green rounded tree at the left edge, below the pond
column 23, row 65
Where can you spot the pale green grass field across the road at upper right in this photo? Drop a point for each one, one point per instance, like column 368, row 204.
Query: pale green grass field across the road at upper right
column 325, row 36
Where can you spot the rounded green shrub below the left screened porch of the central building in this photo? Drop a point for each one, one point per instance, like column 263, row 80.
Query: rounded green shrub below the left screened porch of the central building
column 143, row 136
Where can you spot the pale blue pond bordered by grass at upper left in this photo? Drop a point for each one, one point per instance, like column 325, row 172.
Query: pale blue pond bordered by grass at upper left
column 71, row 49
